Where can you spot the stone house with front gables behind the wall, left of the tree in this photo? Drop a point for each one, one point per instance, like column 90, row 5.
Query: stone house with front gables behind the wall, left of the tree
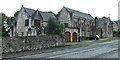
column 29, row 22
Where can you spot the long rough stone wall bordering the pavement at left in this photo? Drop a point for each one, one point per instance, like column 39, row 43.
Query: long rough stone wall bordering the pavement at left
column 17, row 44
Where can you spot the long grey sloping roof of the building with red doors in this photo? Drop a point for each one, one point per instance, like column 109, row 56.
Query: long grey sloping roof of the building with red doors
column 80, row 14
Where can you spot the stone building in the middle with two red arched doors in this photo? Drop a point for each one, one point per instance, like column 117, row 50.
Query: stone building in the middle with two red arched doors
column 78, row 25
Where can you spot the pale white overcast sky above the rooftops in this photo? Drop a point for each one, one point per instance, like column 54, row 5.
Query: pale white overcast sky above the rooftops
column 99, row 8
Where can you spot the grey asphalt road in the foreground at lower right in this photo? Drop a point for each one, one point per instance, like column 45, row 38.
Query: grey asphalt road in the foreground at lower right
column 98, row 50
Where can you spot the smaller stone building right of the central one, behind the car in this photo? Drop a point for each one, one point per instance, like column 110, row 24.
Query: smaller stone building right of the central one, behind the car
column 104, row 27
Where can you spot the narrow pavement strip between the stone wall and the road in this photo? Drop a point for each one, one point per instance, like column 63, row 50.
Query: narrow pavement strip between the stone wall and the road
column 26, row 53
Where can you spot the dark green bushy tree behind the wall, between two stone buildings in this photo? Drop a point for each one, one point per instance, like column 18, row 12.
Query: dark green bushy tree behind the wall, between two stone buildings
column 54, row 27
